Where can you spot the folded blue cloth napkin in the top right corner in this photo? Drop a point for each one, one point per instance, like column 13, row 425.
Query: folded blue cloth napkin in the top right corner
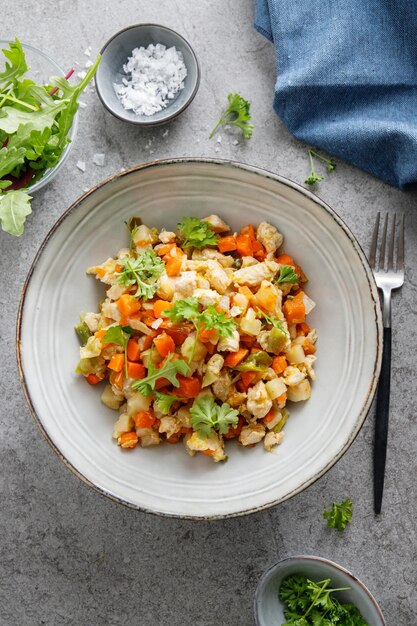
column 347, row 79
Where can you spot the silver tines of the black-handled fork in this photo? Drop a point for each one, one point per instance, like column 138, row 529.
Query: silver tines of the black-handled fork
column 382, row 263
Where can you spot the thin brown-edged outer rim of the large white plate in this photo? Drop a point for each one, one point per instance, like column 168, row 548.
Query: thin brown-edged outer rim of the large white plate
column 265, row 174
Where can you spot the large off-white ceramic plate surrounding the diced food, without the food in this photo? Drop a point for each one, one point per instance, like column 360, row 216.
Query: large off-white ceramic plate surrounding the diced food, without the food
column 164, row 479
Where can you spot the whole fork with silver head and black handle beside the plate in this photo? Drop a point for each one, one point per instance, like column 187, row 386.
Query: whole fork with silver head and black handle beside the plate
column 389, row 275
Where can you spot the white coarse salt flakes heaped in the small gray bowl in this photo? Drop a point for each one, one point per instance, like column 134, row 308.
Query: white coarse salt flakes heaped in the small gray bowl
column 155, row 75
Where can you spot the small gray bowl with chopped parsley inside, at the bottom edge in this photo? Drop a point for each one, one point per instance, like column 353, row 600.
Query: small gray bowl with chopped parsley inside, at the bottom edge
column 310, row 590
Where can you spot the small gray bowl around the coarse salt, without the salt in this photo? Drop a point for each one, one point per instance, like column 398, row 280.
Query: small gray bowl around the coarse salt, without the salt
column 115, row 54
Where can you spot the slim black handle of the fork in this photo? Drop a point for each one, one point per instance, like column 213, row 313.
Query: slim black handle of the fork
column 381, row 421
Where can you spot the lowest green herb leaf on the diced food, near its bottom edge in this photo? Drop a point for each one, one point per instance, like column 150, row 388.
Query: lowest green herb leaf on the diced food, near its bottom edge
column 207, row 416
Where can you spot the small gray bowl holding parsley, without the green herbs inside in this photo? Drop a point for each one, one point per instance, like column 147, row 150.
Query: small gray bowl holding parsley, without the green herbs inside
column 269, row 610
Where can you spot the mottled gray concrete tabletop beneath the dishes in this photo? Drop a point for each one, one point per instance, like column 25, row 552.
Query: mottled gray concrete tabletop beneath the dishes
column 70, row 556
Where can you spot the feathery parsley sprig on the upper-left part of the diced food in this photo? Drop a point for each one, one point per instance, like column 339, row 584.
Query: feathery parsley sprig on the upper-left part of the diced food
column 143, row 271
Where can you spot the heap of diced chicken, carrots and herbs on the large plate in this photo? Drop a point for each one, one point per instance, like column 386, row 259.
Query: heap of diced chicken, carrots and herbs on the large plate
column 201, row 336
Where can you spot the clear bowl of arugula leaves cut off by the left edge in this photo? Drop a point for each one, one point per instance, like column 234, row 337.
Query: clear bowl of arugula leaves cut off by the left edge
column 38, row 123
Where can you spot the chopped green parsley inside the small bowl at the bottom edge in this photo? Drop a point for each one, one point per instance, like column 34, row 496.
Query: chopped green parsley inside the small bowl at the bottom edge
column 310, row 603
